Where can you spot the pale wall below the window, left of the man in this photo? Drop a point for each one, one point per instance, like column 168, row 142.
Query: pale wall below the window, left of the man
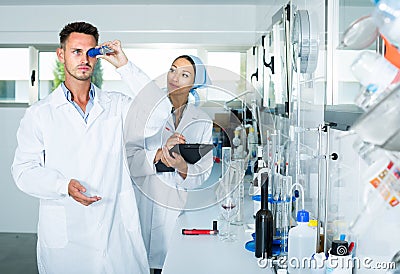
column 18, row 211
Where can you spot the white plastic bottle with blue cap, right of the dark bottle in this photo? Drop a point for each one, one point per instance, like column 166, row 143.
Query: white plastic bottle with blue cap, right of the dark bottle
column 302, row 245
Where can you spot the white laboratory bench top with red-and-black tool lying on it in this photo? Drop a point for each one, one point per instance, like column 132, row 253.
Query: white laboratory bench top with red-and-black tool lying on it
column 200, row 254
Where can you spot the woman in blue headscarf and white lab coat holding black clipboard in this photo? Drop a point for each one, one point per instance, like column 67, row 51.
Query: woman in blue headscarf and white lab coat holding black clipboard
column 161, row 196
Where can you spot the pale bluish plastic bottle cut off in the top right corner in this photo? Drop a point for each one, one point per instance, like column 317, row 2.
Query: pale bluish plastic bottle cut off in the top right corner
column 386, row 15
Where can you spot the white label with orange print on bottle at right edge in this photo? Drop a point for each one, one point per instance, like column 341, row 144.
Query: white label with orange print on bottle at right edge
column 387, row 183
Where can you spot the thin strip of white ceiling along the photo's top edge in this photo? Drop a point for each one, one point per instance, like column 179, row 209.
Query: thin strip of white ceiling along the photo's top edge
column 136, row 2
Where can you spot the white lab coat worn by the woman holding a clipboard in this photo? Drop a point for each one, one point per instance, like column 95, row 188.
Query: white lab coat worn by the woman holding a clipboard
column 162, row 196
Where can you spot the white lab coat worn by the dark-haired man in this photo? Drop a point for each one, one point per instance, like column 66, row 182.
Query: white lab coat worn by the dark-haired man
column 56, row 145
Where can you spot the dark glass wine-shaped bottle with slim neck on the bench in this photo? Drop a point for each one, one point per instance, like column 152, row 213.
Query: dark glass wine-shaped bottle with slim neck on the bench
column 264, row 225
